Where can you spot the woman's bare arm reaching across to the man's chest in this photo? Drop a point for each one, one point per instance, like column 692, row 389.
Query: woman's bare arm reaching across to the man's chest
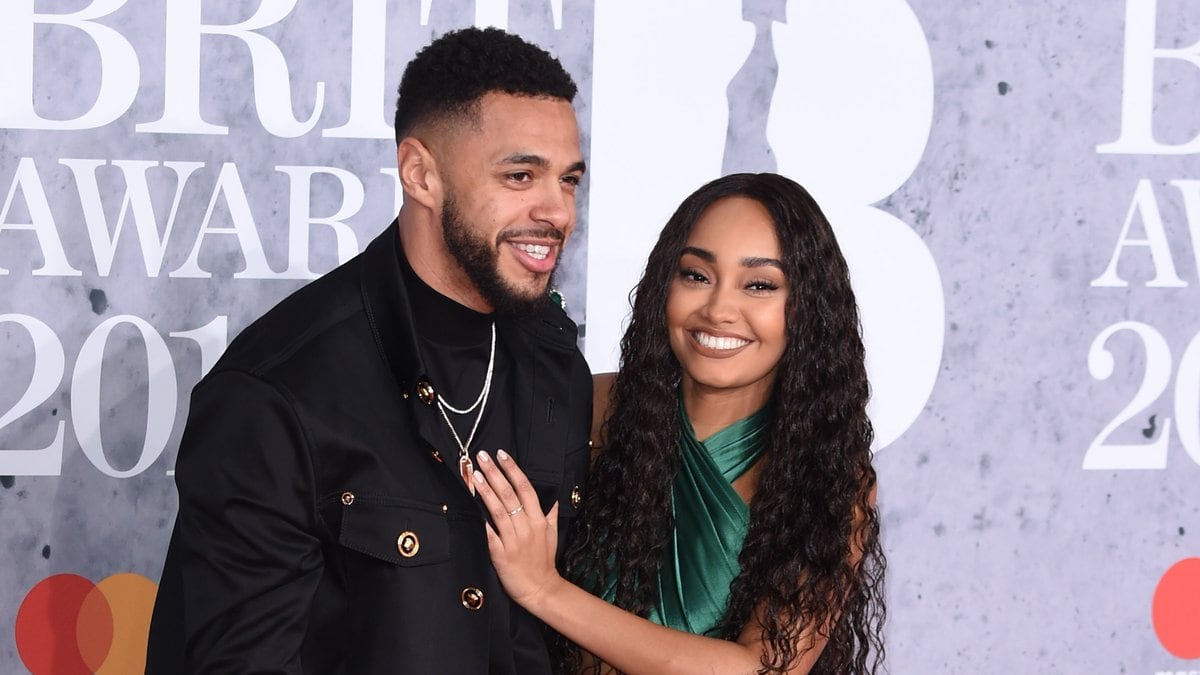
column 523, row 548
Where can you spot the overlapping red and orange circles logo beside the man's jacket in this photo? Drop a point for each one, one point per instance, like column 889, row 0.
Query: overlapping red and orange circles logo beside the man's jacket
column 68, row 625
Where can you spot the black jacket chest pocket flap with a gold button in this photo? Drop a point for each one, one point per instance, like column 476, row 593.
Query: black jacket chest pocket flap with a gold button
column 400, row 535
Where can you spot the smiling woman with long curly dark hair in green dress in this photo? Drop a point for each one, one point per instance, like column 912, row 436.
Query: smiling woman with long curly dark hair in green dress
column 734, row 503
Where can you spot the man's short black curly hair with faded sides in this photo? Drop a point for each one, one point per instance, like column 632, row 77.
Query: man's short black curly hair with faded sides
column 455, row 71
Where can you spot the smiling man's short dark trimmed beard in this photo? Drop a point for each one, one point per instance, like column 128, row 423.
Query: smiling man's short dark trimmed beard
column 481, row 260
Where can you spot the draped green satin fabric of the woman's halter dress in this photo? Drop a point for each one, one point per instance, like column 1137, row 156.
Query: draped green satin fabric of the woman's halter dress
column 701, row 560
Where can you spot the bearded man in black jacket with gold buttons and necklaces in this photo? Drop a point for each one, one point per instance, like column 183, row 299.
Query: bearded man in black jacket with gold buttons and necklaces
column 325, row 523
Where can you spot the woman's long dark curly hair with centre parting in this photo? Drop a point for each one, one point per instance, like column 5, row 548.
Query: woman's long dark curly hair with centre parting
column 814, row 504
